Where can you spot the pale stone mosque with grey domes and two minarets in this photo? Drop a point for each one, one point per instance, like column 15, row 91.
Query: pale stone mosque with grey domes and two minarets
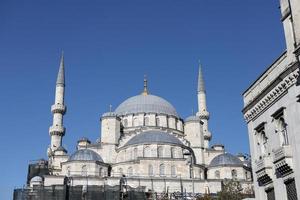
column 145, row 141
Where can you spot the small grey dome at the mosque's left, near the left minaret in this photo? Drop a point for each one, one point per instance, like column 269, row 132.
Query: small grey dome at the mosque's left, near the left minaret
column 86, row 155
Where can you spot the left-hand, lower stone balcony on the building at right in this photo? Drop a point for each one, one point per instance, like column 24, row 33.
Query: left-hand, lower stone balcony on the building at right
column 264, row 170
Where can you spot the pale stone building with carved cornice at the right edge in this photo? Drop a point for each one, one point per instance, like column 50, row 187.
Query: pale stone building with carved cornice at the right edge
column 272, row 112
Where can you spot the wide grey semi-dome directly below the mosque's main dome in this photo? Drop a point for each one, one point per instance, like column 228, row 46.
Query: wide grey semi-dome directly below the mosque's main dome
column 156, row 137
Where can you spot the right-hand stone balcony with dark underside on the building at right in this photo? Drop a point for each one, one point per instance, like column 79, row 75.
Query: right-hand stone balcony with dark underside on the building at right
column 282, row 159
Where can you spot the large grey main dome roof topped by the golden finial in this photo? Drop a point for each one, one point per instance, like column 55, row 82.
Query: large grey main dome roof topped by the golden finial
column 145, row 104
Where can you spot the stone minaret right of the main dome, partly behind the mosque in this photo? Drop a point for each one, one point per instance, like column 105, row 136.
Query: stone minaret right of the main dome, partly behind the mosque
column 202, row 108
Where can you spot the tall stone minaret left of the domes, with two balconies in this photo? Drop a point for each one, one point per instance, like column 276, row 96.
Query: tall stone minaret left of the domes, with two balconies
column 57, row 130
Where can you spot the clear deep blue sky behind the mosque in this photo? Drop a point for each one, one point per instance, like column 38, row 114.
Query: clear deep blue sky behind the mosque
column 109, row 46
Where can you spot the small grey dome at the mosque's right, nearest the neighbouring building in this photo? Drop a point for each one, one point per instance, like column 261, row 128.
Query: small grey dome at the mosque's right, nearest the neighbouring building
column 225, row 159
